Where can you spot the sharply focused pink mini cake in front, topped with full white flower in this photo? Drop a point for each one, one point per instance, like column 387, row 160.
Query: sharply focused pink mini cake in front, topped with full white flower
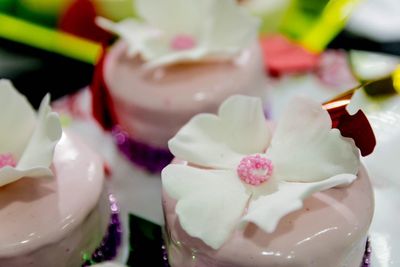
column 242, row 195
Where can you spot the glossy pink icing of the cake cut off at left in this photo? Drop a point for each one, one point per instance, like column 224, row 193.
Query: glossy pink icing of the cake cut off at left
column 51, row 222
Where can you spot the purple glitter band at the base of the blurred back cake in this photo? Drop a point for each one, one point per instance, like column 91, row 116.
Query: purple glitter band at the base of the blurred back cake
column 150, row 158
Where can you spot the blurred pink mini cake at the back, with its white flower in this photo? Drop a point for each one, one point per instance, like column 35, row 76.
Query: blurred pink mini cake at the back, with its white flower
column 154, row 84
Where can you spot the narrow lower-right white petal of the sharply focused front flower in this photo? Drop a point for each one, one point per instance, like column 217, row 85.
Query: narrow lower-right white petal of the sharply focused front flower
column 266, row 211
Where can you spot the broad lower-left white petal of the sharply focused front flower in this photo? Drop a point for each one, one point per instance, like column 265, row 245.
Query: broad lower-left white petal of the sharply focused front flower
column 209, row 202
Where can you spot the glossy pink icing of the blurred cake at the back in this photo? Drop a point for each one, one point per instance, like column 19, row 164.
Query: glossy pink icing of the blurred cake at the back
column 152, row 105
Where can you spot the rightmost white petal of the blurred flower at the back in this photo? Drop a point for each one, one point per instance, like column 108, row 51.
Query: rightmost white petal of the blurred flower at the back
column 233, row 28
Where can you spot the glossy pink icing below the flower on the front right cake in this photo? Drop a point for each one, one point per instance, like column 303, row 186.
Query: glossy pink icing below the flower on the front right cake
column 330, row 231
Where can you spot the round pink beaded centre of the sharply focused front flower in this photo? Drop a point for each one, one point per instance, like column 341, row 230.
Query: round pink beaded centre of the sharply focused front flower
column 255, row 169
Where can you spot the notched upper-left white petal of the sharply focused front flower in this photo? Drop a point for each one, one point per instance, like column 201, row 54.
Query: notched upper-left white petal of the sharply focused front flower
column 221, row 142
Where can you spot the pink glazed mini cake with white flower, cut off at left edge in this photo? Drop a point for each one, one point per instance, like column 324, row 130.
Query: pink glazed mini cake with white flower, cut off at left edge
column 54, row 208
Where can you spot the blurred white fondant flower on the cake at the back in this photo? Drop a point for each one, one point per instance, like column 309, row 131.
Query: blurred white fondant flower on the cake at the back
column 185, row 30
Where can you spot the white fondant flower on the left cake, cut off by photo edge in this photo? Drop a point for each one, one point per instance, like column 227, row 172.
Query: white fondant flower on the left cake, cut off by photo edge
column 27, row 139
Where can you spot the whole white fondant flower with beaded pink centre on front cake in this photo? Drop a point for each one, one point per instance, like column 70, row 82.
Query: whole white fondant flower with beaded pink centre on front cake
column 241, row 172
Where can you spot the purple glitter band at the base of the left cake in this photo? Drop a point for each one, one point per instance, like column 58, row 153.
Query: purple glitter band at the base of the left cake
column 109, row 245
